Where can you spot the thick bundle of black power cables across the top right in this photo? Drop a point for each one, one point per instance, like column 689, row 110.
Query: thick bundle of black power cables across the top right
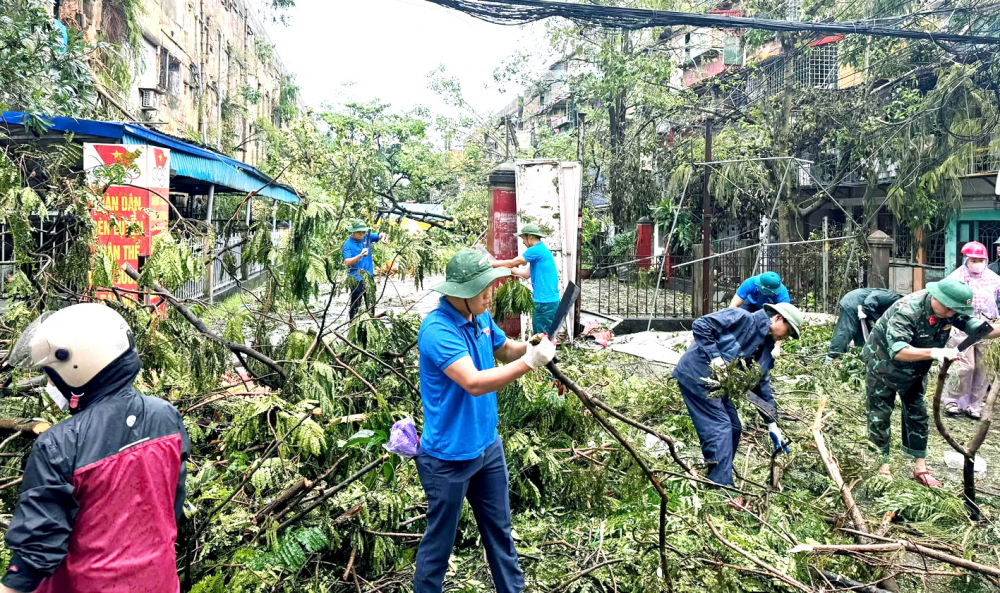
column 510, row 12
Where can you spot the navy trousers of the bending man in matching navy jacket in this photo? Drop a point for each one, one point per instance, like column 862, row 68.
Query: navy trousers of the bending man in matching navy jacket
column 718, row 426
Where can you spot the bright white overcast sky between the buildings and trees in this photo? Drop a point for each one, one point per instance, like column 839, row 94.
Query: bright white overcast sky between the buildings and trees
column 341, row 50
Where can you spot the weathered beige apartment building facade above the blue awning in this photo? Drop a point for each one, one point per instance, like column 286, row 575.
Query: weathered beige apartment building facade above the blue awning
column 204, row 71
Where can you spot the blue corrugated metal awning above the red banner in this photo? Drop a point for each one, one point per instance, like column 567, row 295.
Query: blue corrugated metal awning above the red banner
column 186, row 159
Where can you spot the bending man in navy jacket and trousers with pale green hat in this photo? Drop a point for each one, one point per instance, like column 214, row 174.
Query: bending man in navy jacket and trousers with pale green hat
column 719, row 339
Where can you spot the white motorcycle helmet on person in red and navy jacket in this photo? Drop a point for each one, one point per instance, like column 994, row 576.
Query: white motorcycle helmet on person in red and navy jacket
column 75, row 343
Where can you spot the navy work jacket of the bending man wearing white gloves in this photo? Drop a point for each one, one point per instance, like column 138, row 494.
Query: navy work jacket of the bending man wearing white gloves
column 729, row 334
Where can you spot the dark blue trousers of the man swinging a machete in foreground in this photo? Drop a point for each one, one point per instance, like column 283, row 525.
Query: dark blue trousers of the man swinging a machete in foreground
column 485, row 482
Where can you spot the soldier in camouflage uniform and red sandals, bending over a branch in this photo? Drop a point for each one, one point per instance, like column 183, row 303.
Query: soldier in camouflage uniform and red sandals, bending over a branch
column 899, row 352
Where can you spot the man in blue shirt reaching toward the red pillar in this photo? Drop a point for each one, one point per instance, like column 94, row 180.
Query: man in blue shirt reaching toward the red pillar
column 543, row 274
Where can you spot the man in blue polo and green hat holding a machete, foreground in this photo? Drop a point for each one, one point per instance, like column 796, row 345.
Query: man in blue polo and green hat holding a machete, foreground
column 461, row 455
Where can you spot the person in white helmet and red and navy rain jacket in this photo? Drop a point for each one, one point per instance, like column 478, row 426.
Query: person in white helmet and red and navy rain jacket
column 103, row 490
